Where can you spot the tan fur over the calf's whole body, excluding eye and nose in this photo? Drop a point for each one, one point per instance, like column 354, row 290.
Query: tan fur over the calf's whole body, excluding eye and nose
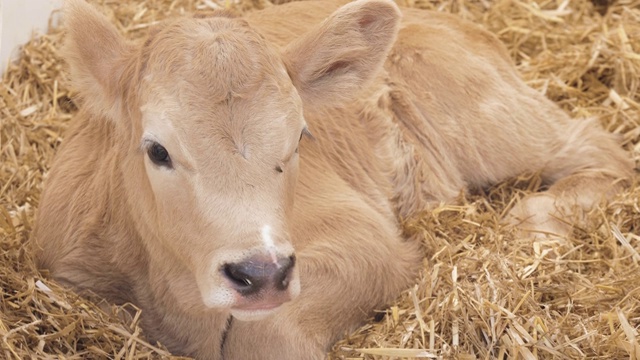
column 404, row 114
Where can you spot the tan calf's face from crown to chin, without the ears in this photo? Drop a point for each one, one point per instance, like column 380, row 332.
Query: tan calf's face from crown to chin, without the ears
column 220, row 126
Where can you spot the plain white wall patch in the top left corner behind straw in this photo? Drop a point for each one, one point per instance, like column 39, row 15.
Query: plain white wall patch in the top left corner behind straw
column 19, row 19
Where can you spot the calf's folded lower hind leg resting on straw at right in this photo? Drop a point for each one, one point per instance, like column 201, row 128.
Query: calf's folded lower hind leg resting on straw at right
column 589, row 168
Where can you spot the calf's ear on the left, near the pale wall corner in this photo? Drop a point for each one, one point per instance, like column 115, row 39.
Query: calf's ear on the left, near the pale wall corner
column 96, row 55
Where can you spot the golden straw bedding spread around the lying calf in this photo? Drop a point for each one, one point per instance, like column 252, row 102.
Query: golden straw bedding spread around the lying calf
column 484, row 292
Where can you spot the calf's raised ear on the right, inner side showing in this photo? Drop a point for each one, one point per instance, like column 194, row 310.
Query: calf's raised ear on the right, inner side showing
column 330, row 63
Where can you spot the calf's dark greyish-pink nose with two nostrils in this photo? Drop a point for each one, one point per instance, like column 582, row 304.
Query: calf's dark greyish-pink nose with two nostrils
column 259, row 273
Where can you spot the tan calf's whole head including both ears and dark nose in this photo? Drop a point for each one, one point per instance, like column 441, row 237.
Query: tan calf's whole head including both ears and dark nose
column 207, row 118
